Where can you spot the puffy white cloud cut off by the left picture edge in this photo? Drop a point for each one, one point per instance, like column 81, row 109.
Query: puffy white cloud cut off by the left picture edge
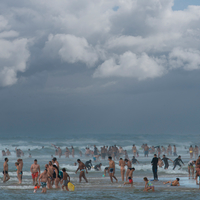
column 13, row 55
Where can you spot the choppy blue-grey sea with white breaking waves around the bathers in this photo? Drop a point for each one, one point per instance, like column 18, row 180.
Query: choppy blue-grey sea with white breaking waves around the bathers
column 98, row 187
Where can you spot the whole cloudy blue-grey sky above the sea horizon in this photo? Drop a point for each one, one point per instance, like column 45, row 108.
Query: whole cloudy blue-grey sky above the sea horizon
column 106, row 66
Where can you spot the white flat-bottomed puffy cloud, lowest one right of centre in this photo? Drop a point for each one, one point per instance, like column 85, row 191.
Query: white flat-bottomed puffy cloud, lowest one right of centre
column 131, row 65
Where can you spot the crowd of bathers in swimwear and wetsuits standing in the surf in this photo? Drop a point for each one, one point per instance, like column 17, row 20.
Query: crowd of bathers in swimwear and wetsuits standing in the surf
column 54, row 175
